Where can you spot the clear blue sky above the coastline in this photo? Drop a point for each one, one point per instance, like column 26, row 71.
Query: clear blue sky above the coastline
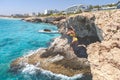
column 28, row 6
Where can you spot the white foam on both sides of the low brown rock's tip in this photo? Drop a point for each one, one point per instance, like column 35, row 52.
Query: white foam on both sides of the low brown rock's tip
column 32, row 72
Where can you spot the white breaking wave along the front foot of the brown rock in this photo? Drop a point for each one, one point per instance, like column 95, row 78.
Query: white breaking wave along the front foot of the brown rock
column 33, row 70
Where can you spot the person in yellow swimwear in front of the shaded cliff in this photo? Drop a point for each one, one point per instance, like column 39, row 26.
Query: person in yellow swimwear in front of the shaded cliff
column 71, row 33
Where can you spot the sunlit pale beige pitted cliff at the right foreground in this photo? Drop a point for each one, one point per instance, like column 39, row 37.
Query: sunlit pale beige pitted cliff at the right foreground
column 104, row 57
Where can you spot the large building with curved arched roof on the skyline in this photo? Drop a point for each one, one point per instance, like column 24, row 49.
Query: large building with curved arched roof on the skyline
column 76, row 8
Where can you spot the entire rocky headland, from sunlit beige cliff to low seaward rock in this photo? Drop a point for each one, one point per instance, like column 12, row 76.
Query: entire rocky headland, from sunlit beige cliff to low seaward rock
column 98, row 51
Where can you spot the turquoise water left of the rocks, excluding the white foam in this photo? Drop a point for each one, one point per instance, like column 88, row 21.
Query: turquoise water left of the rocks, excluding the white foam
column 18, row 38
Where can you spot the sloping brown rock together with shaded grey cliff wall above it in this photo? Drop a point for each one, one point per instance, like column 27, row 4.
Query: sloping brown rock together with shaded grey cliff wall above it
column 60, row 57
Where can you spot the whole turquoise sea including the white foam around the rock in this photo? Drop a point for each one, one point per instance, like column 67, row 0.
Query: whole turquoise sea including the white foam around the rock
column 19, row 38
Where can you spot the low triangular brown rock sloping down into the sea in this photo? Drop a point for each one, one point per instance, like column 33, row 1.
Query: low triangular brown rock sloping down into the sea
column 57, row 58
